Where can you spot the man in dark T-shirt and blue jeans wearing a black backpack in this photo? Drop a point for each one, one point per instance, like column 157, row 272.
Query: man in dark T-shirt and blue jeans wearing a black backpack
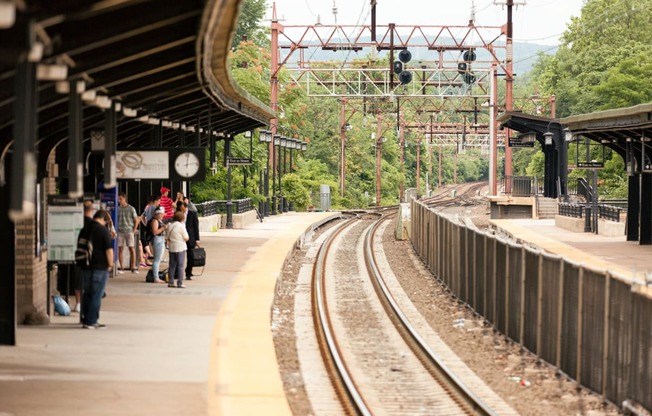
column 95, row 256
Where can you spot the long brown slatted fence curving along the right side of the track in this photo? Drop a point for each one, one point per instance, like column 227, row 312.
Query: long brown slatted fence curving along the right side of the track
column 592, row 325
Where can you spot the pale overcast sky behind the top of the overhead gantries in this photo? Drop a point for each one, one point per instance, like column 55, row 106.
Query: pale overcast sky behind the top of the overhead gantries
column 538, row 21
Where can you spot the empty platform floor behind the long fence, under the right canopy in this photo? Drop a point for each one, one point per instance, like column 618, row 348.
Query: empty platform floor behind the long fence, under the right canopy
column 628, row 259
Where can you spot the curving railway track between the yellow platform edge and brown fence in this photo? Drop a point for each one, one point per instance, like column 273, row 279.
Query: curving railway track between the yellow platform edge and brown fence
column 377, row 360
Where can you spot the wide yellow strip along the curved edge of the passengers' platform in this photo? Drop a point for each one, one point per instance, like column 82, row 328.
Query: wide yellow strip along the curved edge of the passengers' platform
column 243, row 375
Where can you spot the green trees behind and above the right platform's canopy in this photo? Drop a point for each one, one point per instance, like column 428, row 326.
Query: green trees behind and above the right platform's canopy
column 604, row 62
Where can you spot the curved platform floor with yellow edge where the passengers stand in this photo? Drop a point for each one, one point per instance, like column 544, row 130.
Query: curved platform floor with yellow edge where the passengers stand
column 203, row 350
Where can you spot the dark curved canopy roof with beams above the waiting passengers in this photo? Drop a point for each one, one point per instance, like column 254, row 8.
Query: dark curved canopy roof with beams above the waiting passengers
column 164, row 61
